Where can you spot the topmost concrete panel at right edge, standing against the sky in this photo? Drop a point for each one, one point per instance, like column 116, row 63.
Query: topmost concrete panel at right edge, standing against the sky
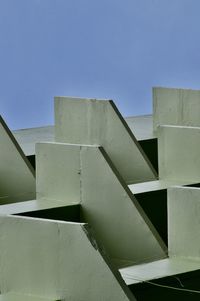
column 176, row 107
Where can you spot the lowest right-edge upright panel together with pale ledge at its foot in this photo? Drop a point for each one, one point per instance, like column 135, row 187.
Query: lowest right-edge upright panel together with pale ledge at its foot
column 183, row 239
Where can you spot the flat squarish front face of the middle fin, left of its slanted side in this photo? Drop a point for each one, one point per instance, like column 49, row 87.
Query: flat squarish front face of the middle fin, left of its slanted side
column 58, row 173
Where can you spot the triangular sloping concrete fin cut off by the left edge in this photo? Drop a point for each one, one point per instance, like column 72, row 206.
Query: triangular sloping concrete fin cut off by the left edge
column 17, row 175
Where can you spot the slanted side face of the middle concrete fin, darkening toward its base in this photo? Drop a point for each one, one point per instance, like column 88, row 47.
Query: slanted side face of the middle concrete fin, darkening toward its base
column 114, row 213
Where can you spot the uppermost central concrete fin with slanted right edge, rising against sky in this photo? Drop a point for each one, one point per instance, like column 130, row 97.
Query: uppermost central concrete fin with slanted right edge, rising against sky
column 98, row 122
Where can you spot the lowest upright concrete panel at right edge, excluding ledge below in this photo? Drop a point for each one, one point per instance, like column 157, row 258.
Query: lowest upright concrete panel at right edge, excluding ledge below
column 183, row 222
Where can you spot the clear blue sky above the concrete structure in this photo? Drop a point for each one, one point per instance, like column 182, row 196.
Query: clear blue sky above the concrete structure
column 113, row 49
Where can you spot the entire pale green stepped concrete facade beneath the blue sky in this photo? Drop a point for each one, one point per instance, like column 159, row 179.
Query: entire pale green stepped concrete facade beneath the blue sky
column 110, row 216
